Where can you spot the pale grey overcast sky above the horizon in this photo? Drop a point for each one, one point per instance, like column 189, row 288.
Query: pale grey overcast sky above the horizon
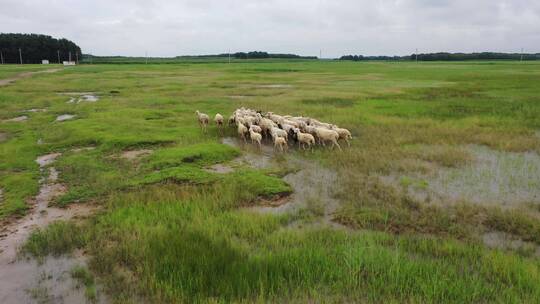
column 183, row 27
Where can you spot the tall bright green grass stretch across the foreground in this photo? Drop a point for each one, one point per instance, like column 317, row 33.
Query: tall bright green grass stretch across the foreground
column 184, row 245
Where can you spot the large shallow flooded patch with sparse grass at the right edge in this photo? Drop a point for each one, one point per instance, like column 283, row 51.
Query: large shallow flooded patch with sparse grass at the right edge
column 493, row 177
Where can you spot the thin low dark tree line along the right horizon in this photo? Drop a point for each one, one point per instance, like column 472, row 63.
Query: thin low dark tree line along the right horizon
column 448, row 57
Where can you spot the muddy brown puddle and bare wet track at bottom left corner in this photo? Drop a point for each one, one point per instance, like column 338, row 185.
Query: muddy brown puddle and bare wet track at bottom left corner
column 18, row 276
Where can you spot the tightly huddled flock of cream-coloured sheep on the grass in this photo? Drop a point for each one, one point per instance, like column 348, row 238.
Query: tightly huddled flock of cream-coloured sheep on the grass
column 282, row 129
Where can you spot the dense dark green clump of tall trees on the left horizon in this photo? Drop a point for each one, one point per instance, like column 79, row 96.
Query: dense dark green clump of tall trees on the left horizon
column 35, row 48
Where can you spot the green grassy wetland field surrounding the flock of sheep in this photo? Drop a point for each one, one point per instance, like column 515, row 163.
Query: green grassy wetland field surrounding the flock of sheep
column 437, row 199
